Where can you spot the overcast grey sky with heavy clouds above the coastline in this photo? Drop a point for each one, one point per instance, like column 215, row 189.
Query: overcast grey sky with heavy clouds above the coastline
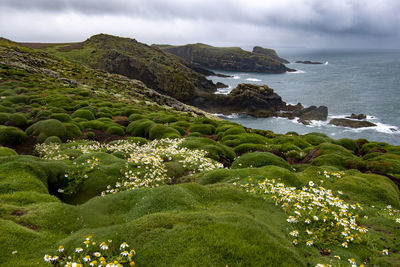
column 245, row 23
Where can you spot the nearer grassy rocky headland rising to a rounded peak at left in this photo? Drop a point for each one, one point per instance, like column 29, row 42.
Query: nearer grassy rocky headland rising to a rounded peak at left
column 165, row 73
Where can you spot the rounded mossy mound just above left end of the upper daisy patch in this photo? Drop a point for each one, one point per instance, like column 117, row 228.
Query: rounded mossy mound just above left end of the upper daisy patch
column 46, row 128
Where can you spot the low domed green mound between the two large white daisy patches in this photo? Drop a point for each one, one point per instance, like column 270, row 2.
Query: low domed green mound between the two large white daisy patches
column 259, row 159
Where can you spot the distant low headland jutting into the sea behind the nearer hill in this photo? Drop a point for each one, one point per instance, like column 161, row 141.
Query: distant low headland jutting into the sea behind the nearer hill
column 226, row 58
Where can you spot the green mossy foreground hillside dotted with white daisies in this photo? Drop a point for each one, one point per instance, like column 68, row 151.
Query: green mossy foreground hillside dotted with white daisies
column 89, row 156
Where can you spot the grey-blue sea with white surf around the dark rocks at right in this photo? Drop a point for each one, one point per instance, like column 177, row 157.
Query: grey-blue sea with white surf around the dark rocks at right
column 349, row 81
